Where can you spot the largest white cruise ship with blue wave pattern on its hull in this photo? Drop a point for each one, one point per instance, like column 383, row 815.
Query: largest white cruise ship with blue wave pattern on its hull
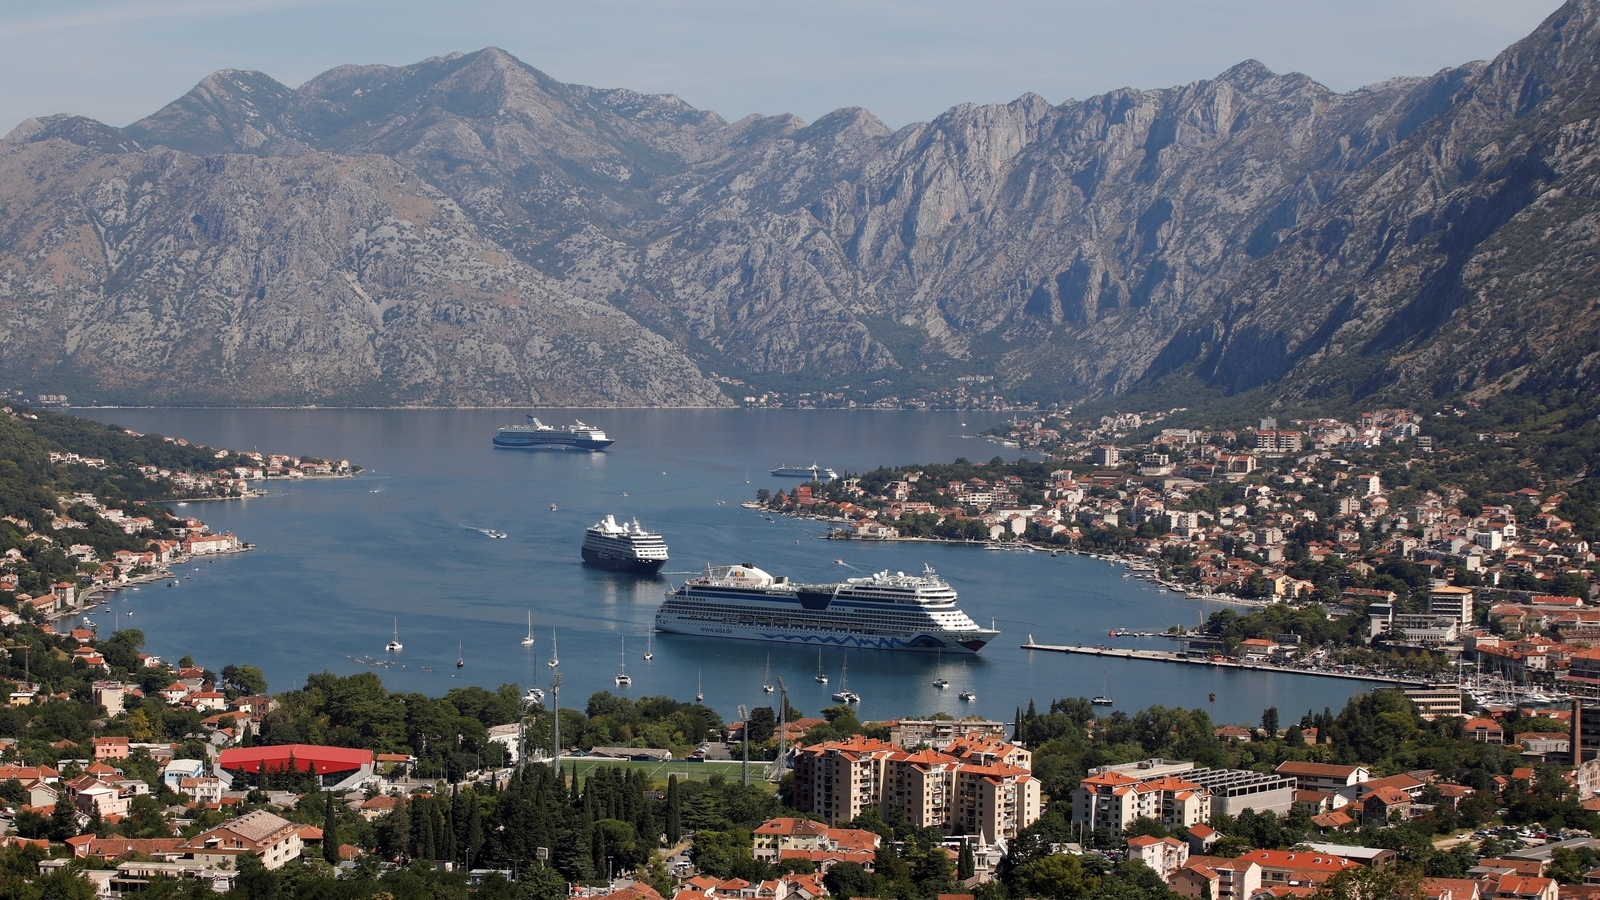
column 878, row 613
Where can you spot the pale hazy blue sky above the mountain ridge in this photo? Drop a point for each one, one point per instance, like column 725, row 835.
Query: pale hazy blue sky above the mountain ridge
column 905, row 60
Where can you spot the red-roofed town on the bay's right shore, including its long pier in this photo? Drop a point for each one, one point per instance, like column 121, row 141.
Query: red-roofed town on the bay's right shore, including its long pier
column 1343, row 521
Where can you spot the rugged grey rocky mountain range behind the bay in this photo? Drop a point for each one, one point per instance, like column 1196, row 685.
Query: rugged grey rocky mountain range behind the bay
column 470, row 231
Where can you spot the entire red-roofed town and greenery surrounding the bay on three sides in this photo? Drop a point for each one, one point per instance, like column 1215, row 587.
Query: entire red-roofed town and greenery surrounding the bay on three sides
column 1471, row 769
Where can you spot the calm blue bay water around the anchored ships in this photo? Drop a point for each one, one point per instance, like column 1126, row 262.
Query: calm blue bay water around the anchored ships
column 337, row 565
